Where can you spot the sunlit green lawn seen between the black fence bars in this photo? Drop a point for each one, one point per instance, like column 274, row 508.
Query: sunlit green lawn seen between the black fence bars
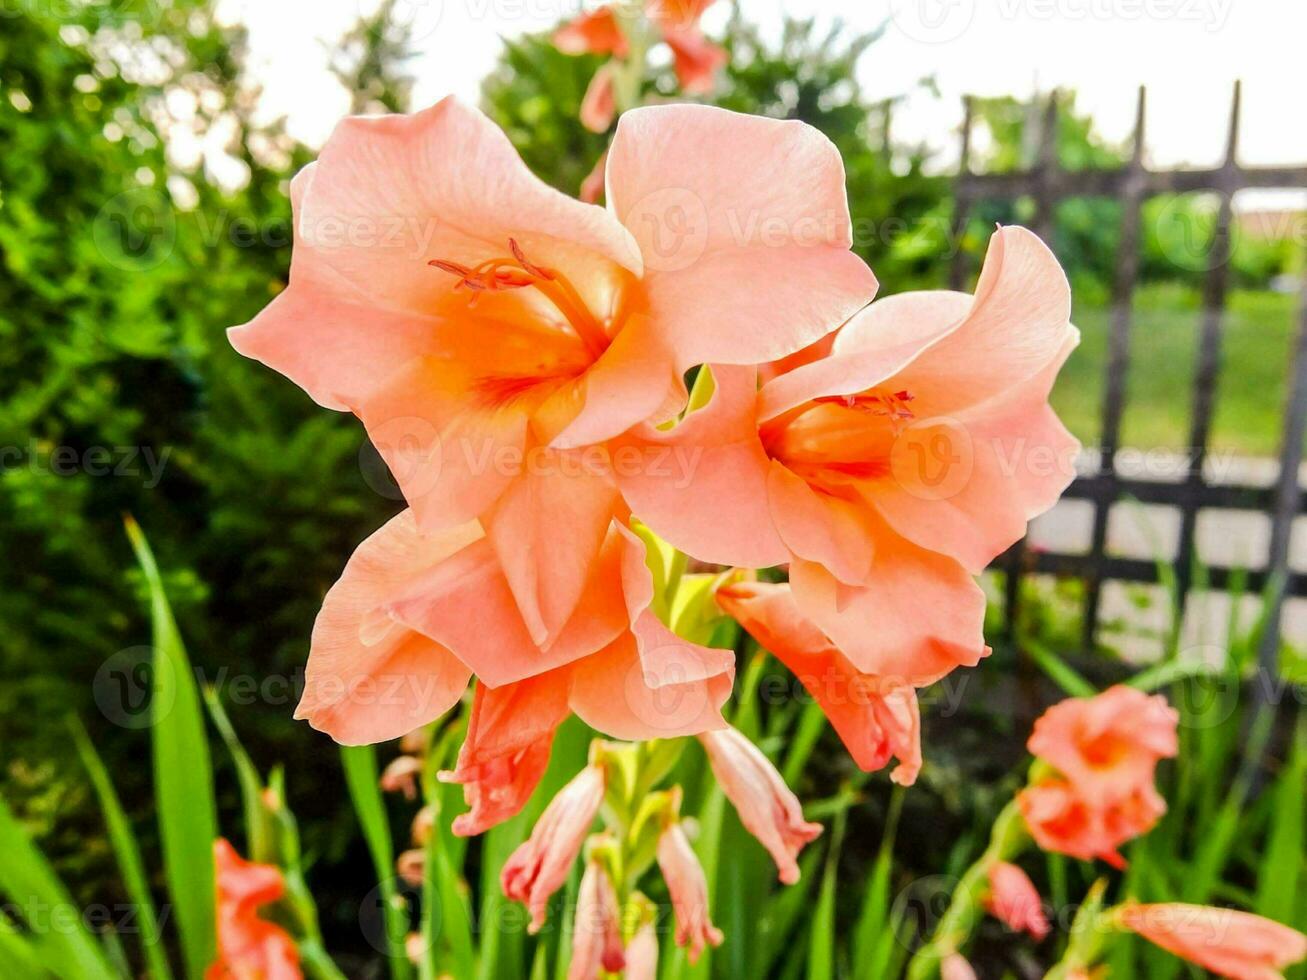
column 1255, row 365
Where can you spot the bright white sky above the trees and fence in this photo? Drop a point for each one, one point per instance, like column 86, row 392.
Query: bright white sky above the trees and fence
column 1187, row 52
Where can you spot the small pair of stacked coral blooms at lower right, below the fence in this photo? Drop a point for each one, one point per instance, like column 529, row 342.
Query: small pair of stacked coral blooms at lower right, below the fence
column 1096, row 787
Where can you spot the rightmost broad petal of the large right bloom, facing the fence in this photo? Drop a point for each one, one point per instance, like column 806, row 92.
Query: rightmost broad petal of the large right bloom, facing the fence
column 969, row 485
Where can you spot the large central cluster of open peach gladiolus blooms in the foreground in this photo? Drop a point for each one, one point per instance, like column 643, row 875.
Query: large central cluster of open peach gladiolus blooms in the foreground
column 518, row 359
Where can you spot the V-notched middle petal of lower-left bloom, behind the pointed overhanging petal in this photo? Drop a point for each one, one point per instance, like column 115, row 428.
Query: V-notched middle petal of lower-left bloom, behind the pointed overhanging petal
column 467, row 606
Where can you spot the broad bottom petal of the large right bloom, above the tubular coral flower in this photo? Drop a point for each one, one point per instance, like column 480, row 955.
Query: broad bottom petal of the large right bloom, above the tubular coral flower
column 918, row 617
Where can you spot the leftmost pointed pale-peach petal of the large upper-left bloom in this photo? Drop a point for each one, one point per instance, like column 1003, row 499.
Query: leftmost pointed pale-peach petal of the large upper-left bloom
column 327, row 336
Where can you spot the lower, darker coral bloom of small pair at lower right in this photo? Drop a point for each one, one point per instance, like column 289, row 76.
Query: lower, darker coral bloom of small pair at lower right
column 1065, row 823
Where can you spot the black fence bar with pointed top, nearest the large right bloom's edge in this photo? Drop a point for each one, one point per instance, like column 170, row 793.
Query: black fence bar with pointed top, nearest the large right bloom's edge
column 1118, row 364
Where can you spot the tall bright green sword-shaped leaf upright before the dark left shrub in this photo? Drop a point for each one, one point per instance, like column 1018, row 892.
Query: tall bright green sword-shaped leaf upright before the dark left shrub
column 184, row 777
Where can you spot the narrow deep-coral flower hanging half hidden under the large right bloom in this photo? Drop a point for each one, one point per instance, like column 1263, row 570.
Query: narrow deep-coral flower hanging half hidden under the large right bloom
column 875, row 719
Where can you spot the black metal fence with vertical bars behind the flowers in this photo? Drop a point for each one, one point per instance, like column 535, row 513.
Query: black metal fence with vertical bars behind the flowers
column 1046, row 185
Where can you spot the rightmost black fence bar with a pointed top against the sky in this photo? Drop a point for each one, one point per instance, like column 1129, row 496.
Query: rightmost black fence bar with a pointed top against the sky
column 1210, row 357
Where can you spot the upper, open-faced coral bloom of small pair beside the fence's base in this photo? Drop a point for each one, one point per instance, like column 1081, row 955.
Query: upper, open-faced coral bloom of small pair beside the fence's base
column 1109, row 745
